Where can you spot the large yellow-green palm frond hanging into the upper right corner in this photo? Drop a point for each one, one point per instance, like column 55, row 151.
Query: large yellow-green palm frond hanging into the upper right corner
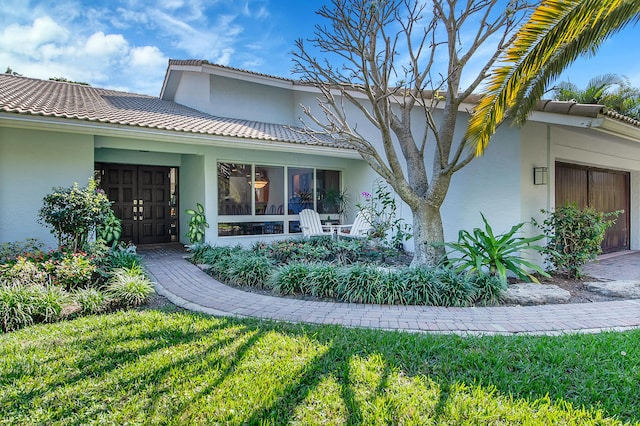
column 557, row 33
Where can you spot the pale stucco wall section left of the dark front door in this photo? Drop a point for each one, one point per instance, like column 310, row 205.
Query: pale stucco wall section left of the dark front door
column 31, row 163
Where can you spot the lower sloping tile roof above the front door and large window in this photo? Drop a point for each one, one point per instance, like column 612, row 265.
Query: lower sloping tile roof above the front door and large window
column 28, row 96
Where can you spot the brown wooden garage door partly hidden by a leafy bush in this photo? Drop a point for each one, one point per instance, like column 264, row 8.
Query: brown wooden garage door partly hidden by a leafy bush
column 603, row 190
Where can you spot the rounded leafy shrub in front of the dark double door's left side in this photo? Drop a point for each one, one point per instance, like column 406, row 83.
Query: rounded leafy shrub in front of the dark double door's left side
column 74, row 213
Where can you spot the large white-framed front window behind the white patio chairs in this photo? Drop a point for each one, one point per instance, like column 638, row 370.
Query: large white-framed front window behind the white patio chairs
column 252, row 201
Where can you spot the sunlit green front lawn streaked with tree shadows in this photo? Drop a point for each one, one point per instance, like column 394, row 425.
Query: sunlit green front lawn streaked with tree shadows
column 153, row 367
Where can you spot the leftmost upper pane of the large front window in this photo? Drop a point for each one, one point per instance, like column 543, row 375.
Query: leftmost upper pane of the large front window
column 234, row 189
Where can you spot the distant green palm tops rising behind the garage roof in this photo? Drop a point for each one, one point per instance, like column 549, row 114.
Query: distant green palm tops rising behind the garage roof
column 611, row 90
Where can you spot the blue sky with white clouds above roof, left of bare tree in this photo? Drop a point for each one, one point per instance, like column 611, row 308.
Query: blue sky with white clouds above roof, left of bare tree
column 125, row 44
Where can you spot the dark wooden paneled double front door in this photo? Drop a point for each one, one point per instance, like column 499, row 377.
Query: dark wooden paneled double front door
column 140, row 196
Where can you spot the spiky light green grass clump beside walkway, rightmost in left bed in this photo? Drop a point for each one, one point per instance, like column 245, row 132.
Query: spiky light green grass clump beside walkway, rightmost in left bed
column 129, row 287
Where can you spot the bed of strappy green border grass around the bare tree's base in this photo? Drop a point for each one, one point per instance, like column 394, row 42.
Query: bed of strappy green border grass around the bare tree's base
column 345, row 270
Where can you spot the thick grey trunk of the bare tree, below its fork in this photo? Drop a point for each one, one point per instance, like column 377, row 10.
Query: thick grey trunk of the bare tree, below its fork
column 428, row 235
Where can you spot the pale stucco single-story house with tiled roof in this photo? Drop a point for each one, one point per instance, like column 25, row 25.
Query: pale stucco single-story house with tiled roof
column 232, row 141
